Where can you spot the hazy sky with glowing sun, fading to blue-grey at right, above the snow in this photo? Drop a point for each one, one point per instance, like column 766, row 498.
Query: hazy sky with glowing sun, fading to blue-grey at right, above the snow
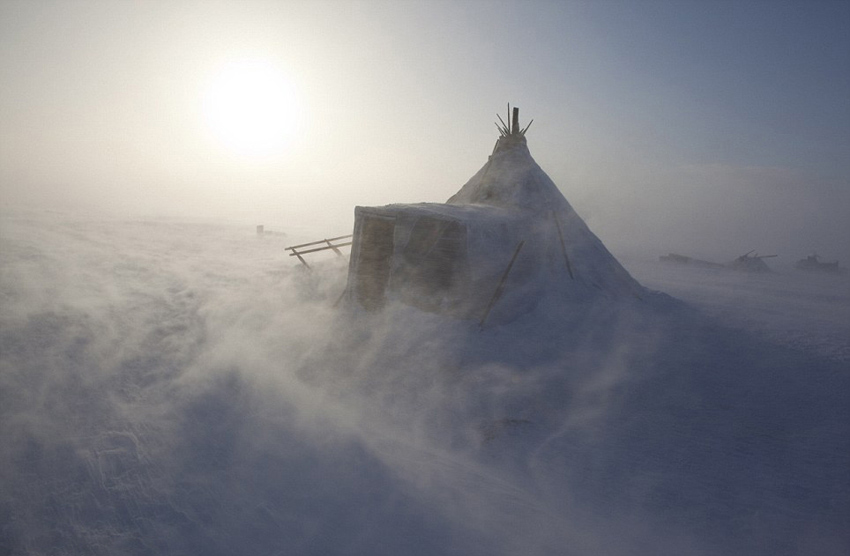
column 710, row 127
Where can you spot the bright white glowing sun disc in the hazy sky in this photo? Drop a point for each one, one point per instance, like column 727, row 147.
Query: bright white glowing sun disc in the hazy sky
column 252, row 109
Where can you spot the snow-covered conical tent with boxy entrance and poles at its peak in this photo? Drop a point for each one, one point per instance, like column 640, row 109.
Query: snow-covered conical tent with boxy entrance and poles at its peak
column 507, row 240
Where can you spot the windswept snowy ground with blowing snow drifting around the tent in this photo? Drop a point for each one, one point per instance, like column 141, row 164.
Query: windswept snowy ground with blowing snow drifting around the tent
column 172, row 388
